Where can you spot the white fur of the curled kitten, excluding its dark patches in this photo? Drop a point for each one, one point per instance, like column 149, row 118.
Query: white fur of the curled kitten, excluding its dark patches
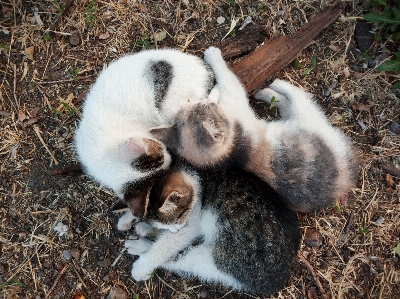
column 120, row 105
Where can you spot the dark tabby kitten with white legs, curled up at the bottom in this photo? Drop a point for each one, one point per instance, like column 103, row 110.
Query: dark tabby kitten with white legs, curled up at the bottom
column 223, row 226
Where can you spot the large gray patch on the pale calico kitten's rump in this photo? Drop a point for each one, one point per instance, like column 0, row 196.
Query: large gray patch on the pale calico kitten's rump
column 306, row 180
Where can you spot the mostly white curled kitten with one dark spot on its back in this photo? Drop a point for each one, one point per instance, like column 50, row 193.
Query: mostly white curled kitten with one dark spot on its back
column 135, row 93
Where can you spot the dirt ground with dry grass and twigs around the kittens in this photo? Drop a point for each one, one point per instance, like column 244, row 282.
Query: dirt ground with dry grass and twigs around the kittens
column 44, row 75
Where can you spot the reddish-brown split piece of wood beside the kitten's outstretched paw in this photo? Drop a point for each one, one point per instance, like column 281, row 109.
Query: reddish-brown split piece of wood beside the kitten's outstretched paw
column 278, row 52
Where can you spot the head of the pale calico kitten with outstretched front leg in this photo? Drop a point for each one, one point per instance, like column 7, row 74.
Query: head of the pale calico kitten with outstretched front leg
column 202, row 134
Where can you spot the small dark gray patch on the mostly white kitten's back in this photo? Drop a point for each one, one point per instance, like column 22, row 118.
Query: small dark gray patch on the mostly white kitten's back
column 161, row 74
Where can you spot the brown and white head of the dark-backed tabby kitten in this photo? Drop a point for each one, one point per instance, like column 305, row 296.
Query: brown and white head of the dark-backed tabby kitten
column 172, row 200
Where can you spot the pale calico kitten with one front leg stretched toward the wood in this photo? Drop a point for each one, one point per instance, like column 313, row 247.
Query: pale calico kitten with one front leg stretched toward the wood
column 305, row 159
